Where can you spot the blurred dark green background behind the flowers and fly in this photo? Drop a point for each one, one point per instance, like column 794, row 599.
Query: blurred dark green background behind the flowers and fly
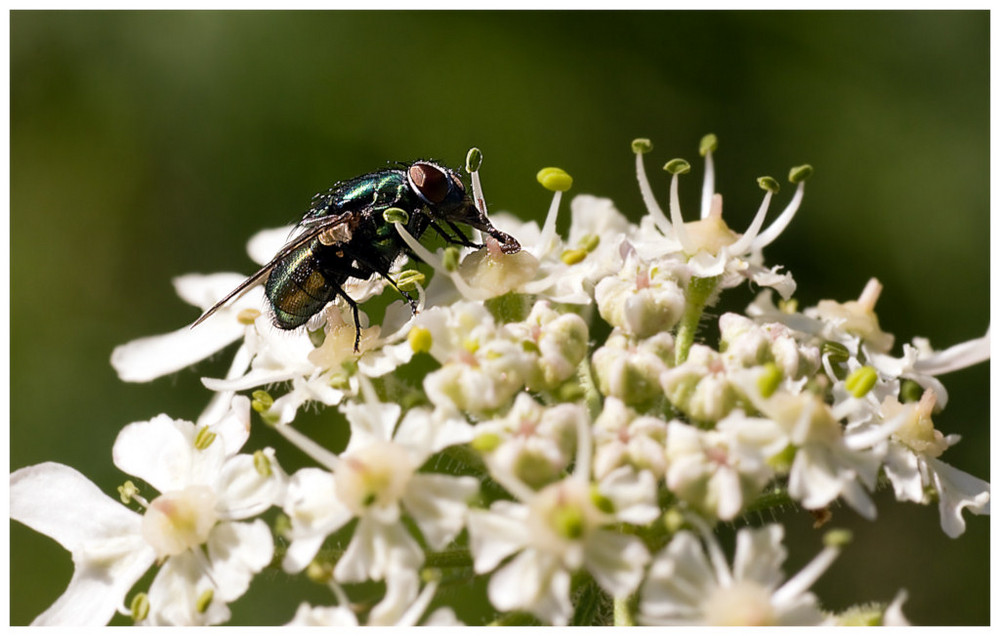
column 149, row 145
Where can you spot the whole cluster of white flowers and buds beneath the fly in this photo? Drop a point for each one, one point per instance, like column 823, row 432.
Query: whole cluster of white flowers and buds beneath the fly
column 566, row 470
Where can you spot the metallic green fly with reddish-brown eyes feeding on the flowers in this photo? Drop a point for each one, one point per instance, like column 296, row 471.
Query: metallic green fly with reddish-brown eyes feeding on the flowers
column 344, row 235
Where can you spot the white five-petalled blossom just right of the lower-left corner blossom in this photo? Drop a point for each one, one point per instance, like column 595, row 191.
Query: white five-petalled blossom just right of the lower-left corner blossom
column 374, row 480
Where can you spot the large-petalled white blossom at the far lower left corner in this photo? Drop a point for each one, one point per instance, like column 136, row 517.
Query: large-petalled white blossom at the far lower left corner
column 205, row 486
